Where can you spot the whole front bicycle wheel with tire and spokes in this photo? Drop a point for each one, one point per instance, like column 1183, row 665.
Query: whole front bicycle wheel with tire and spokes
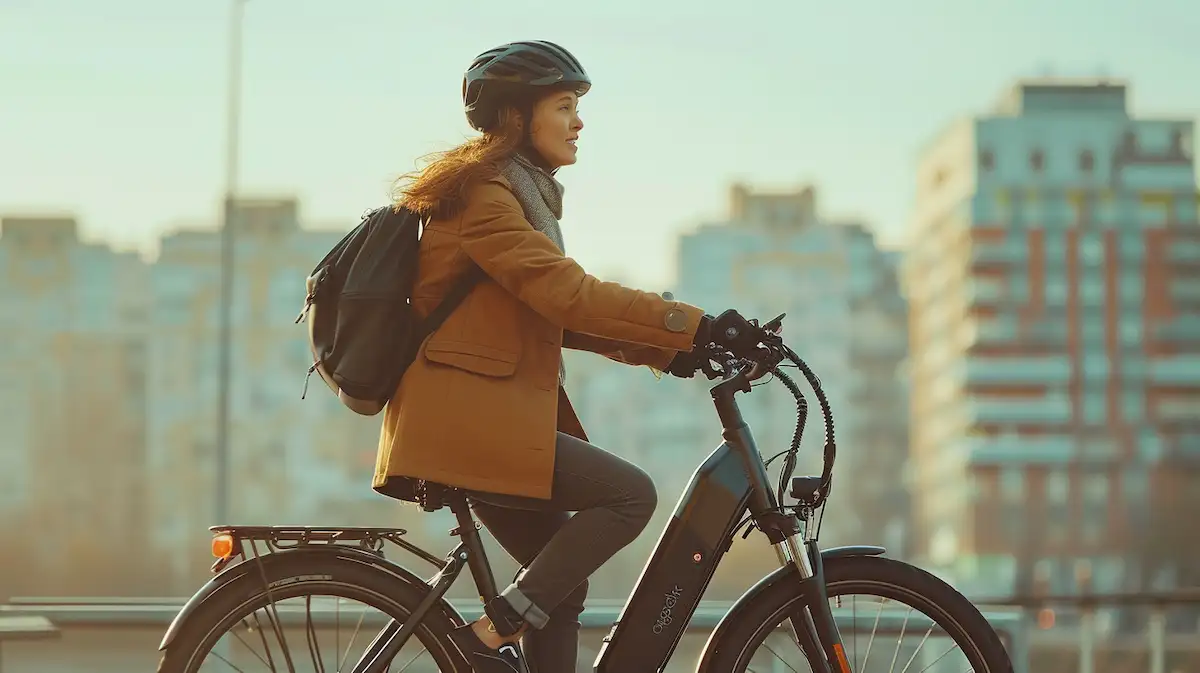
column 947, row 632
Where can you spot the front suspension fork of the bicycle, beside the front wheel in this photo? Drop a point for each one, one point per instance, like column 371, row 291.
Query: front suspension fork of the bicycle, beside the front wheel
column 813, row 627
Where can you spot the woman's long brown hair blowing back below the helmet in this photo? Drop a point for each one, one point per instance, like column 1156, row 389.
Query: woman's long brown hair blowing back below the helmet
column 440, row 190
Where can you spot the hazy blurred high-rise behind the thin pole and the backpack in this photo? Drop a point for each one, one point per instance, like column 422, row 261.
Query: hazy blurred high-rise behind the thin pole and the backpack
column 292, row 461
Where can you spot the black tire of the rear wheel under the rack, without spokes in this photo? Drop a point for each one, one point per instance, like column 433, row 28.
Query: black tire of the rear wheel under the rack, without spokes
column 309, row 578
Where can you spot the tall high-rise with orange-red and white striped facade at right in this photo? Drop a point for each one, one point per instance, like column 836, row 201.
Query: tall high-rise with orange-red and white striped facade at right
column 1054, row 289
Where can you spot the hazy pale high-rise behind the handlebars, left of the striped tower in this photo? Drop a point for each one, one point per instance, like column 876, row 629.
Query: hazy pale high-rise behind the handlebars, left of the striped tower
column 777, row 254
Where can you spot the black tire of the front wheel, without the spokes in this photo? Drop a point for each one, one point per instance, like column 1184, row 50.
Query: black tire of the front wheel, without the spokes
column 878, row 576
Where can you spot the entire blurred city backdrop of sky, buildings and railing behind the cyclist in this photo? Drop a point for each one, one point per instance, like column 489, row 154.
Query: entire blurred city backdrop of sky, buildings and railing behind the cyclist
column 982, row 223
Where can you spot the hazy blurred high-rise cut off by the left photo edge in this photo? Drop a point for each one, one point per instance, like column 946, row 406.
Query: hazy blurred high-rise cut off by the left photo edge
column 73, row 399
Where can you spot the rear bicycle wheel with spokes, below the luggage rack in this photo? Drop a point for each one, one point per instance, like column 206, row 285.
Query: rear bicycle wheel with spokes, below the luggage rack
column 289, row 629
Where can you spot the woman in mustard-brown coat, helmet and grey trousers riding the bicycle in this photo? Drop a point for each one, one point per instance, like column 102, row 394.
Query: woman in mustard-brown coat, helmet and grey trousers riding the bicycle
column 482, row 408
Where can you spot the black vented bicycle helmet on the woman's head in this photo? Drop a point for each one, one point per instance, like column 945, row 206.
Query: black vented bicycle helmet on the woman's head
column 517, row 71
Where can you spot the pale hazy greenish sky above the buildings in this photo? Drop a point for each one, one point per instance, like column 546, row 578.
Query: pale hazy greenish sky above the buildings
column 115, row 110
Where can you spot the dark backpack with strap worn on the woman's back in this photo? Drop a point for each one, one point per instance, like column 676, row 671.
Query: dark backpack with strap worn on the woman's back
column 362, row 328
